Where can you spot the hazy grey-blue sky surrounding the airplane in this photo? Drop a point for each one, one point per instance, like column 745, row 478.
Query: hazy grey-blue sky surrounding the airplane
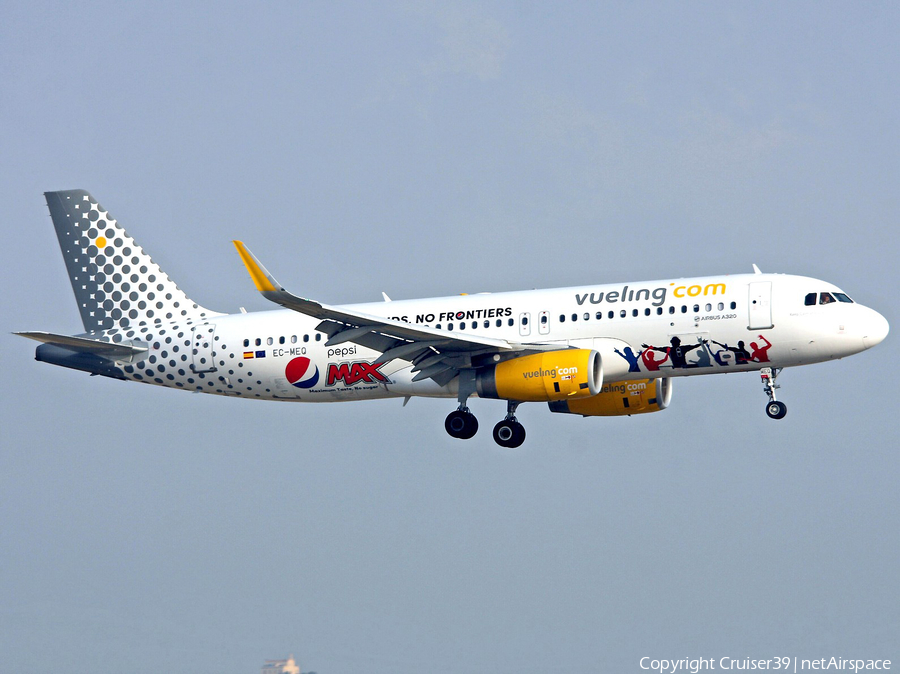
column 430, row 149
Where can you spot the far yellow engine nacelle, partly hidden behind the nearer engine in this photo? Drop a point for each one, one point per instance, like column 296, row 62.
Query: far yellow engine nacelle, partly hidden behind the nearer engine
column 621, row 398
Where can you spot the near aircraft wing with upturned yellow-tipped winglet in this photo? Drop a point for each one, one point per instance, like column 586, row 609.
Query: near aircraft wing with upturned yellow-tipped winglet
column 436, row 354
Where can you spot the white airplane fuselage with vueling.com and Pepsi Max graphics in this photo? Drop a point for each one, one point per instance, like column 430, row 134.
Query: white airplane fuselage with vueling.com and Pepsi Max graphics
column 642, row 330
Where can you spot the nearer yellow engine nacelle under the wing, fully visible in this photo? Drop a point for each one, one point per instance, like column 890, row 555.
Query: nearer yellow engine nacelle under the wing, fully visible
column 554, row 375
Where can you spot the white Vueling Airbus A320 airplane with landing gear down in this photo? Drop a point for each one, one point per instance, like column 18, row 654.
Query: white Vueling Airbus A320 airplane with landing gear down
column 593, row 350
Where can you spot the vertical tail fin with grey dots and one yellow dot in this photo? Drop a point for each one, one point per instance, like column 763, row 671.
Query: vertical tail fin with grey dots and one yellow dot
column 116, row 284
